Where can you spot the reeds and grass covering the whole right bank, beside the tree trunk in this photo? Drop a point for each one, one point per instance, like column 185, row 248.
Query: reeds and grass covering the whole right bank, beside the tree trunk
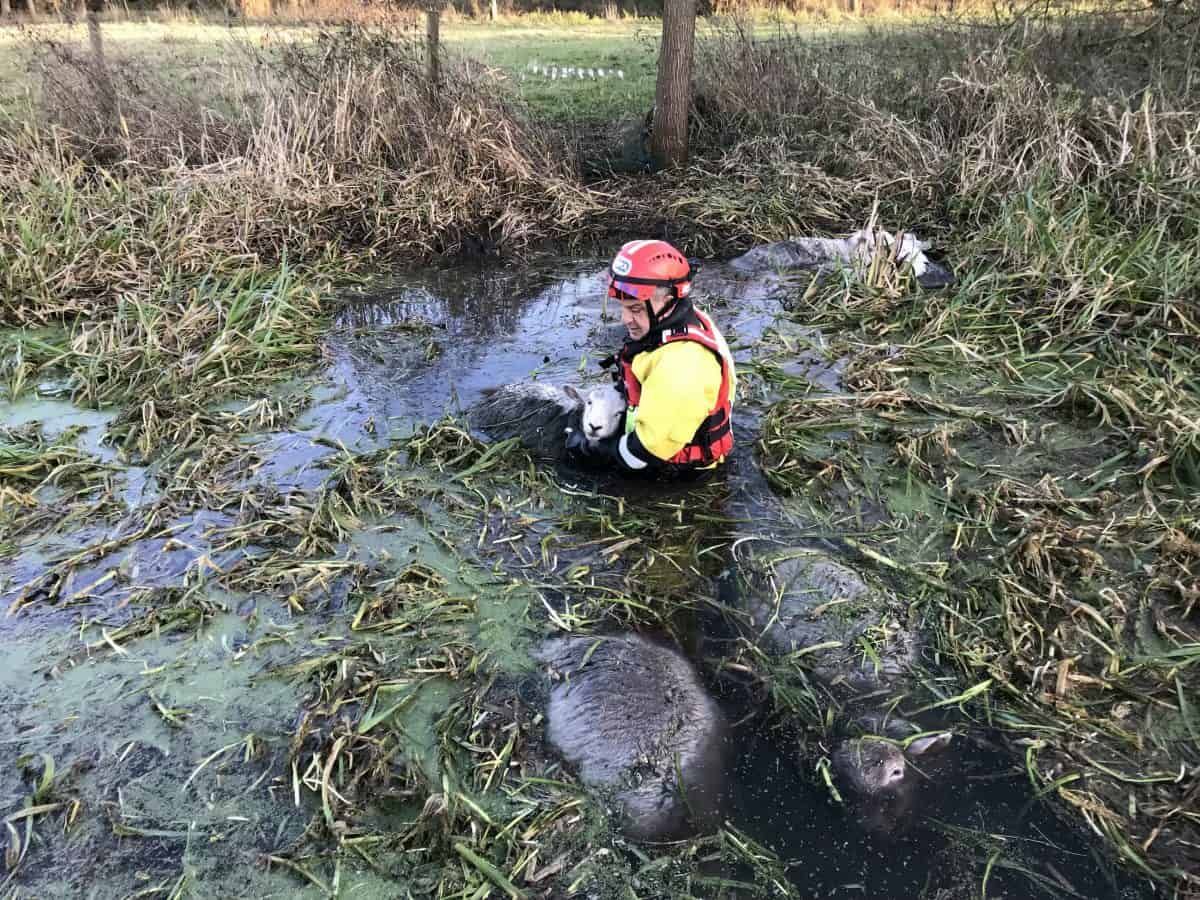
column 1022, row 449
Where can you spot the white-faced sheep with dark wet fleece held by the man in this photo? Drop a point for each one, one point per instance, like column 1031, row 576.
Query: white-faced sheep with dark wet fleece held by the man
column 539, row 415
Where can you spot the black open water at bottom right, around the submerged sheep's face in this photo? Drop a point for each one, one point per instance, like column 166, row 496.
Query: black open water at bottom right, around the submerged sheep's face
column 941, row 848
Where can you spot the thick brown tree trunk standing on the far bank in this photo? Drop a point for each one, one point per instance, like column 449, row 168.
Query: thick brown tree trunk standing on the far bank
column 673, row 97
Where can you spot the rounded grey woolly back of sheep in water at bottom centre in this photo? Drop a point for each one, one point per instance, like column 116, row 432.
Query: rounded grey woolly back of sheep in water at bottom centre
column 633, row 719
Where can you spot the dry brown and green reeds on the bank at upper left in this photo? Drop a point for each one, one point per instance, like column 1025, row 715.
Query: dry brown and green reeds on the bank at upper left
column 182, row 250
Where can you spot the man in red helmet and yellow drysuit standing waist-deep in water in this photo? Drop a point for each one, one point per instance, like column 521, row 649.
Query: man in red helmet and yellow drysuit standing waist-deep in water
column 675, row 370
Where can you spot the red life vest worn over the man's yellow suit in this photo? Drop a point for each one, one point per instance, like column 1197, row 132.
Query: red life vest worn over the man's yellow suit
column 715, row 437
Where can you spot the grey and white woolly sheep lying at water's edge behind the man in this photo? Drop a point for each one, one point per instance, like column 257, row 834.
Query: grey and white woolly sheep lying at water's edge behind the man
column 855, row 254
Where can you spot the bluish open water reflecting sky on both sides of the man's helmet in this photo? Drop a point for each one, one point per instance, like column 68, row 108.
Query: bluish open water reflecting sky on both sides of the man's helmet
column 433, row 344
